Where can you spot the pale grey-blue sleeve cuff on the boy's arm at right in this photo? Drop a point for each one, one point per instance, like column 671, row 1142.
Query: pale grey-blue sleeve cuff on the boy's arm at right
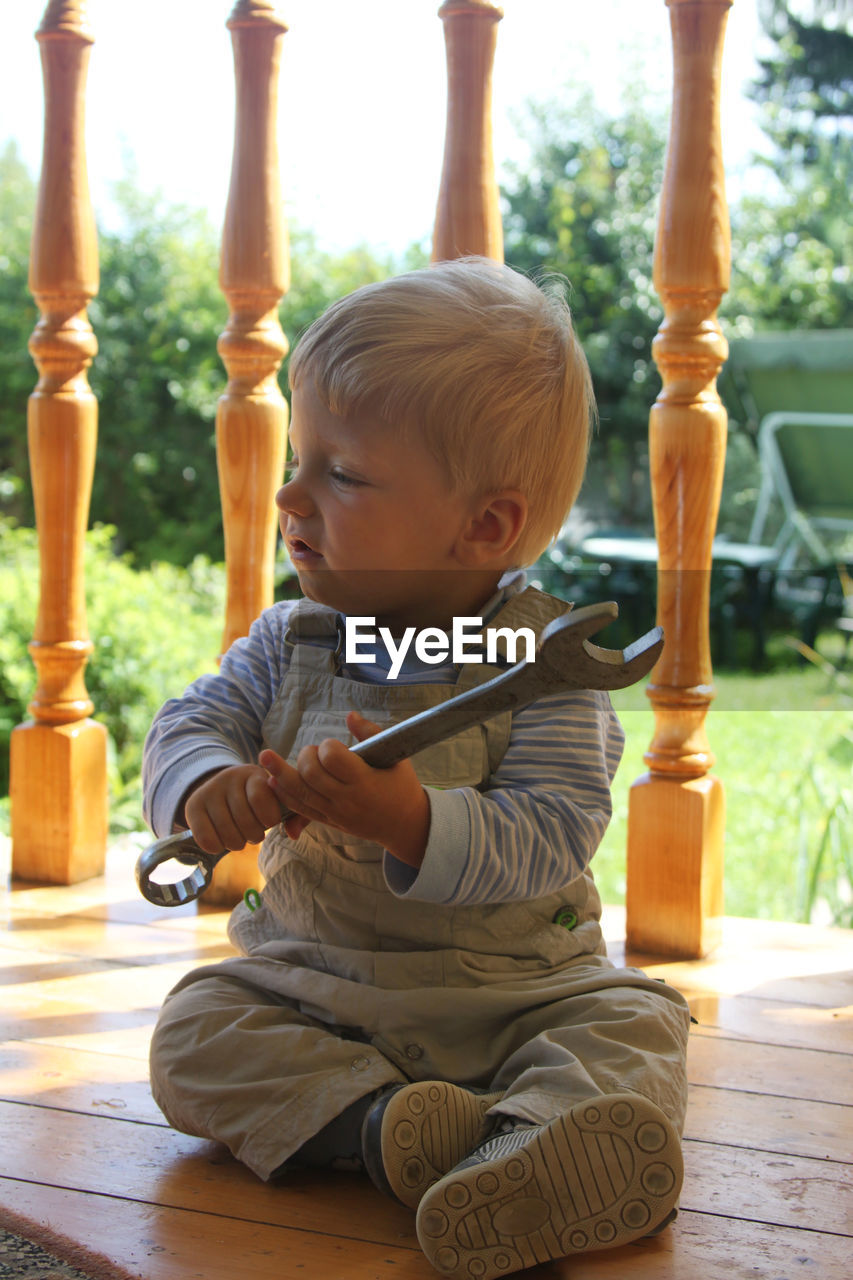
column 448, row 849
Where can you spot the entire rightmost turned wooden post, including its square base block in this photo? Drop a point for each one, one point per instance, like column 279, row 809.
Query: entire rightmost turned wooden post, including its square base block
column 677, row 811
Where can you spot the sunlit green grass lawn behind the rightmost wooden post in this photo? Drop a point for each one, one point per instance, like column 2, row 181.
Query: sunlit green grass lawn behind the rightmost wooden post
column 772, row 737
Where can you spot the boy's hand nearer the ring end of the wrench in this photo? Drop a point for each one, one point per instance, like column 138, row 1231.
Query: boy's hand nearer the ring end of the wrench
column 232, row 808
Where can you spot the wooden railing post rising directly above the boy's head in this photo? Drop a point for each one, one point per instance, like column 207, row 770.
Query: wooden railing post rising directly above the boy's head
column 468, row 218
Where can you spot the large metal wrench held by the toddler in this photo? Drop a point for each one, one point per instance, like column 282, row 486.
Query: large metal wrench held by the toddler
column 565, row 659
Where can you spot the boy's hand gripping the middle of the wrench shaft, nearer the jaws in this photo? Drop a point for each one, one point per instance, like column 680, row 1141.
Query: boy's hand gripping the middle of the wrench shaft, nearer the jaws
column 332, row 785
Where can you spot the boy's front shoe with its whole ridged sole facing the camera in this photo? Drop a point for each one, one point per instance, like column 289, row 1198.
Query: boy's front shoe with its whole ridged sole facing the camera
column 606, row 1173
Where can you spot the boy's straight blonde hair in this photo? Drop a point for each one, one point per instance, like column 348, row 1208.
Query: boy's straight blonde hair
column 477, row 360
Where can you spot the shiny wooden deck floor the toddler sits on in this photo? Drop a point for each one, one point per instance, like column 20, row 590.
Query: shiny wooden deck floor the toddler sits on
column 769, row 1187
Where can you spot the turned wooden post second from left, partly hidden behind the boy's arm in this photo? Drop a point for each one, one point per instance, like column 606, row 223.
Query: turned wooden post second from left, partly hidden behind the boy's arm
column 252, row 418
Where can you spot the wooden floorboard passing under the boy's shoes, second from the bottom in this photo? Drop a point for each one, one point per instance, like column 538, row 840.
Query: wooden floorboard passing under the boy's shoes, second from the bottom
column 154, row 1165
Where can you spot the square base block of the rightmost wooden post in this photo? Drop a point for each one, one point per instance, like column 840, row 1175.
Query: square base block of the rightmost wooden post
column 674, row 894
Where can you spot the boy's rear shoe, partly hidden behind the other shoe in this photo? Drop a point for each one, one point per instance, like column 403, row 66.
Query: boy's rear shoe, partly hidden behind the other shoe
column 414, row 1135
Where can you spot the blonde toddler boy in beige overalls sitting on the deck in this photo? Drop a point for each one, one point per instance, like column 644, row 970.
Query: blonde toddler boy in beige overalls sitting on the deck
column 423, row 991
